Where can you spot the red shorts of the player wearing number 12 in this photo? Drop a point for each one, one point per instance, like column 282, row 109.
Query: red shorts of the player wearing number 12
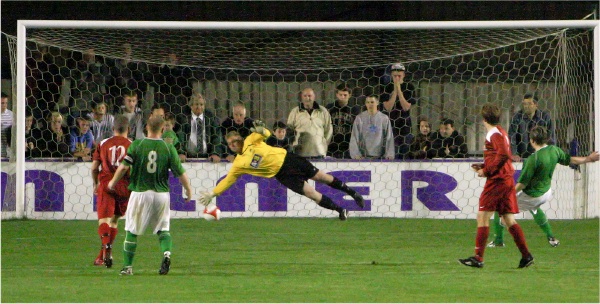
column 112, row 203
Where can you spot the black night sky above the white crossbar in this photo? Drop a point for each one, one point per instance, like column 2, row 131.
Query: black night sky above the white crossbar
column 11, row 11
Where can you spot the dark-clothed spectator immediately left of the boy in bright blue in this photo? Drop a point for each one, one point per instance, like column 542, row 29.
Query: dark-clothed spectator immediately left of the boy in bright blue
column 55, row 138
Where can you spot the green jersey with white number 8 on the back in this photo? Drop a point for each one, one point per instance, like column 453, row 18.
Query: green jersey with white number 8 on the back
column 150, row 161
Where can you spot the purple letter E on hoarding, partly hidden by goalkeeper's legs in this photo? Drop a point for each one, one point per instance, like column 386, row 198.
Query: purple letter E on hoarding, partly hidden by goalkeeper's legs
column 347, row 177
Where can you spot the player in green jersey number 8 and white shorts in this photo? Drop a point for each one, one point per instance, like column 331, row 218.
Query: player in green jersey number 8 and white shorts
column 149, row 161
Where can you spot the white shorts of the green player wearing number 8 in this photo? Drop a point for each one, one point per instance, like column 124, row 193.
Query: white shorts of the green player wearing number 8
column 148, row 209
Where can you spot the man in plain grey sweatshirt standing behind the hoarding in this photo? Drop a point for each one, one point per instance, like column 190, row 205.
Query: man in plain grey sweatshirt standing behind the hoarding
column 372, row 135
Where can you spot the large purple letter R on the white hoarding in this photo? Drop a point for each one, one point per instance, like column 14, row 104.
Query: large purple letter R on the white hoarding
column 431, row 196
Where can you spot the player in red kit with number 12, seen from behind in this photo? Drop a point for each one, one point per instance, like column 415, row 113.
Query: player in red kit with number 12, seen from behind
column 111, row 205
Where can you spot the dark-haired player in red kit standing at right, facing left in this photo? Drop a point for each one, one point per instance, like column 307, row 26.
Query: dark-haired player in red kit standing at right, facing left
column 499, row 191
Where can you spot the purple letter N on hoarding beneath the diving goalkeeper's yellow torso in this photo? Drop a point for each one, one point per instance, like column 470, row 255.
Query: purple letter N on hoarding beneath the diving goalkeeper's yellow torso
column 272, row 196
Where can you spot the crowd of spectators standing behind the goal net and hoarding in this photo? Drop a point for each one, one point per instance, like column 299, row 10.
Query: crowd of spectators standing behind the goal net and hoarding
column 71, row 125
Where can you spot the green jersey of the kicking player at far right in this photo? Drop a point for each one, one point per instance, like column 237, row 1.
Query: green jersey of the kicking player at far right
column 539, row 167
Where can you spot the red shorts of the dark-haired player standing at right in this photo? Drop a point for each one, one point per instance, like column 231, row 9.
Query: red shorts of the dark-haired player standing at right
column 499, row 195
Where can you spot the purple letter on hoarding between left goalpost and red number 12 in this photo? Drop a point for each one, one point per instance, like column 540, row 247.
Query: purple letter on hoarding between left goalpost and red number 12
column 49, row 190
